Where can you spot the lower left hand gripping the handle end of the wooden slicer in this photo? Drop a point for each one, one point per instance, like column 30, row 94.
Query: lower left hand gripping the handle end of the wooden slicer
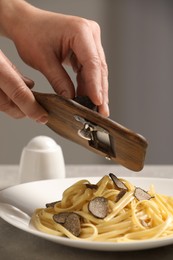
column 16, row 99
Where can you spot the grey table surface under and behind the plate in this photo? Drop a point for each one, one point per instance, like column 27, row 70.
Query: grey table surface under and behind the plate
column 19, row 245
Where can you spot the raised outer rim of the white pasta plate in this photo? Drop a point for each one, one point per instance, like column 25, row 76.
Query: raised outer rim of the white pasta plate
column 86, row 244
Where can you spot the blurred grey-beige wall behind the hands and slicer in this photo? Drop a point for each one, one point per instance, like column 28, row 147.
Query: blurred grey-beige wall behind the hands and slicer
column 137, row 36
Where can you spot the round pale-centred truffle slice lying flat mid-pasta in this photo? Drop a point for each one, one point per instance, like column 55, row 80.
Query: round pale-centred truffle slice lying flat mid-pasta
column 98, row 207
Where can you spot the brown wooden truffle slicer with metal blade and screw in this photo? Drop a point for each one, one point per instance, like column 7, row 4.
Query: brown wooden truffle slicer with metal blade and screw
column 84, row 126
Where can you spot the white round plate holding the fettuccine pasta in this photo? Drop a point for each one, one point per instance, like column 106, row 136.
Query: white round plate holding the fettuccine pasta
column 17, row 203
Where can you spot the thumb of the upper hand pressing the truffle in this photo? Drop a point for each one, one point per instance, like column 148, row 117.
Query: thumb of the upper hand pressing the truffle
column 57, row 76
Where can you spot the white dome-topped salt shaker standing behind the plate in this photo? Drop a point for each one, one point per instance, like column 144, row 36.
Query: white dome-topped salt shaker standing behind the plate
column 41, row 159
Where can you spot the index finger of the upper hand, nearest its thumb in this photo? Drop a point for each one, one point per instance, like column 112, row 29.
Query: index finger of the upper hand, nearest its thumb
column 89, row 76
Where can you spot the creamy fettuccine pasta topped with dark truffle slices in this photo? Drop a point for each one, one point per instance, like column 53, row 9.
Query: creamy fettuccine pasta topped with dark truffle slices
column 113, row 210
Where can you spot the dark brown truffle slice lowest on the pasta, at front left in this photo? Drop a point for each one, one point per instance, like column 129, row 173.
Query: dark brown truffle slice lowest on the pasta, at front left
column 70, row 220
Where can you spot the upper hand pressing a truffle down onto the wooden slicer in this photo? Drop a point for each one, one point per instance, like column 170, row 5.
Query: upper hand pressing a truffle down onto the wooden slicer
column 47, row 41
